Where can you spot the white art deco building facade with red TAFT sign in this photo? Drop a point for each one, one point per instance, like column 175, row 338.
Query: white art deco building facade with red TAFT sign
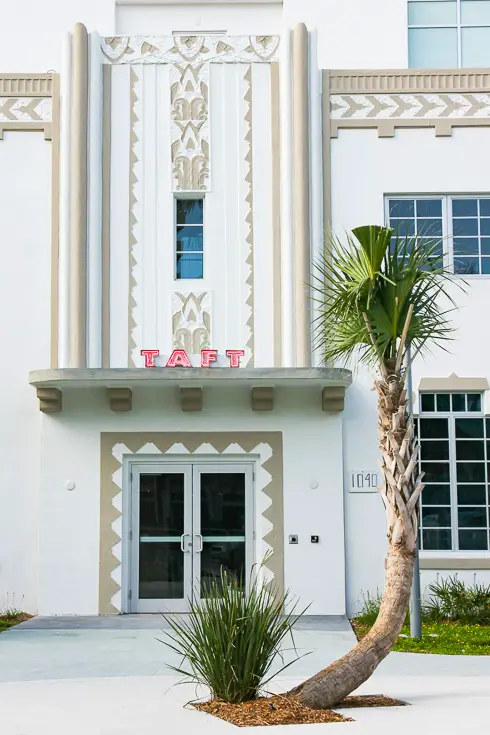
column 167, row 174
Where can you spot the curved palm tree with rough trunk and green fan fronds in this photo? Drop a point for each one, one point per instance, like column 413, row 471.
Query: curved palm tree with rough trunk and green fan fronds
column 378, row 294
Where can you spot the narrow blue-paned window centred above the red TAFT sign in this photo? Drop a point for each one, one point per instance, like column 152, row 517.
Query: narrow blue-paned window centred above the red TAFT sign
column 189, row 238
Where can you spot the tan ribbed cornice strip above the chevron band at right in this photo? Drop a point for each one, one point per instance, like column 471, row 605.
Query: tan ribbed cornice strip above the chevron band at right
column 394, row 81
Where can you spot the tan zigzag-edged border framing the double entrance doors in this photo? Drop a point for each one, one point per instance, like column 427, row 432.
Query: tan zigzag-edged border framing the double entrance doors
column 265, row 446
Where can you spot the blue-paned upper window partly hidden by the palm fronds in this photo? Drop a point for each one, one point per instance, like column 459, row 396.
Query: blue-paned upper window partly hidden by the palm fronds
column 458, row 227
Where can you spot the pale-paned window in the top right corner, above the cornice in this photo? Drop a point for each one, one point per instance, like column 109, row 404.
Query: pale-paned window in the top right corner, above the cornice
column 448, row 33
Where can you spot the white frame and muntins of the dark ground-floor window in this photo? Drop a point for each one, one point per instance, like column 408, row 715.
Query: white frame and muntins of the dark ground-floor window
column 451, row 417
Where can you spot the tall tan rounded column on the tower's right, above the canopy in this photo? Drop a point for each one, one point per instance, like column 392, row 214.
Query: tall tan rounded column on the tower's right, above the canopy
column 301, row 195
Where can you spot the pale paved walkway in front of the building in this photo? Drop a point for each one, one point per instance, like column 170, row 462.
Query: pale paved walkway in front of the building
column 101, row 677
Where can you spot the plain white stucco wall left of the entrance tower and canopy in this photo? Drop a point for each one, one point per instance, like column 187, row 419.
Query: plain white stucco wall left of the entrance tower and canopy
column 24, row 335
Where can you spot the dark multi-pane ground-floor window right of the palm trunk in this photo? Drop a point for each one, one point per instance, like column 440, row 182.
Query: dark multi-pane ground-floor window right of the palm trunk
column 454, row 441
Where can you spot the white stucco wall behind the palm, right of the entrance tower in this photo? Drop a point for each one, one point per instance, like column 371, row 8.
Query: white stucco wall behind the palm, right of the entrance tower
column 364, row 169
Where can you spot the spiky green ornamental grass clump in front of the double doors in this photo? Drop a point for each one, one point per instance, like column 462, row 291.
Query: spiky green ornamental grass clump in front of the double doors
column 230, row 639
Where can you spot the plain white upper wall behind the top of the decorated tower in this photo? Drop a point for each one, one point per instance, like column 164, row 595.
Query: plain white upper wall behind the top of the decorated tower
column 352, row 34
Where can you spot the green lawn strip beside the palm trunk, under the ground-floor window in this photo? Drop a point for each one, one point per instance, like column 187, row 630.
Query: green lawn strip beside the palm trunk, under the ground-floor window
column 445, row 638
